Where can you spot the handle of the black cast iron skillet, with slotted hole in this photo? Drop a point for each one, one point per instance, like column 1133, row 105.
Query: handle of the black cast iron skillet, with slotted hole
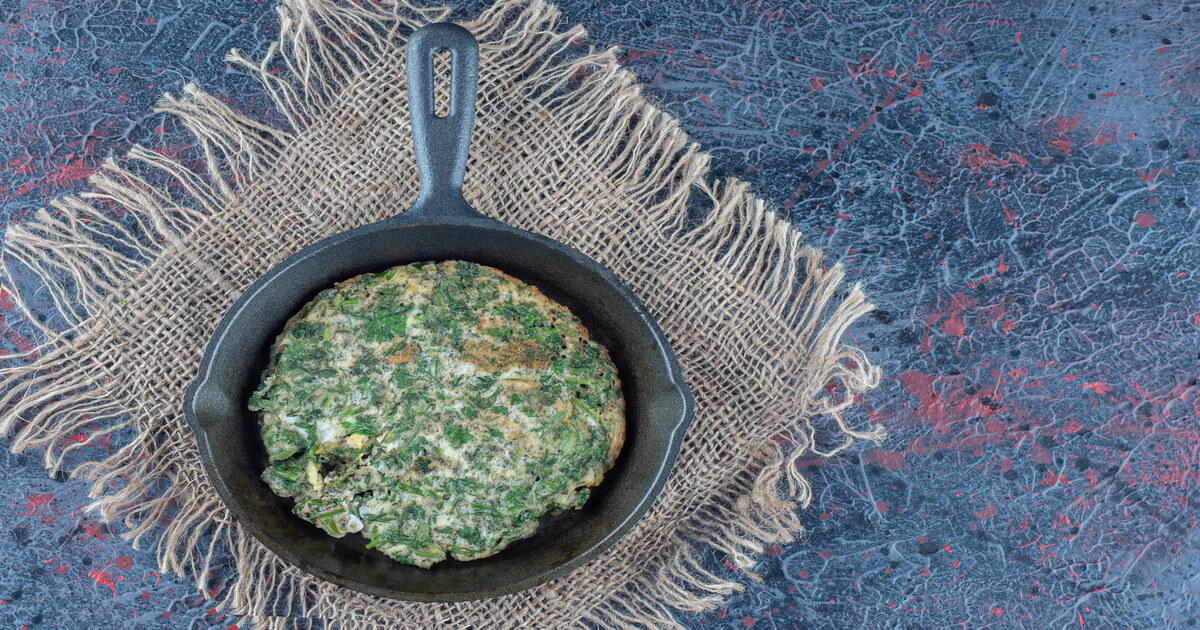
column 442, row 143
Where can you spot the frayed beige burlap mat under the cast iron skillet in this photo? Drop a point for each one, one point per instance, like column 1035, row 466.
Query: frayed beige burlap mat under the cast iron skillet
column 565, row 146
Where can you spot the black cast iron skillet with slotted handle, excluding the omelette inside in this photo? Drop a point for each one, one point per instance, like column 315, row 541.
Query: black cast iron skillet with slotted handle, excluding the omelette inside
column 440, row 226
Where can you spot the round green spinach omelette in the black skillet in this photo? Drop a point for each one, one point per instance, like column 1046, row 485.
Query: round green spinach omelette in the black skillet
column 437, row 410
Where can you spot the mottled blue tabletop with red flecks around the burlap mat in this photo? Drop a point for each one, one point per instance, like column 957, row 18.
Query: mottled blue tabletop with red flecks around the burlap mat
column 1015, row 183
